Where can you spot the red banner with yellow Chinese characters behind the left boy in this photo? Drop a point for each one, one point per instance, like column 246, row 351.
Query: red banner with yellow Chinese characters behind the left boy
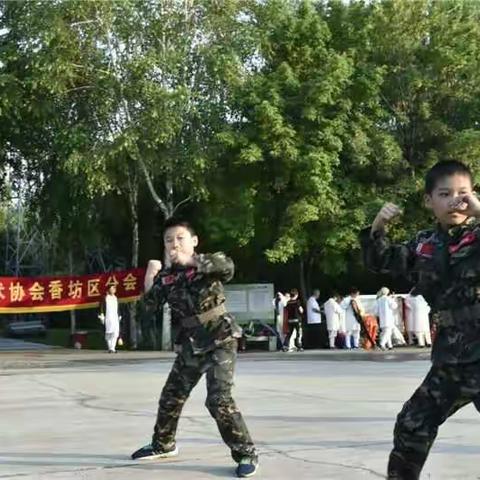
column 54, row 294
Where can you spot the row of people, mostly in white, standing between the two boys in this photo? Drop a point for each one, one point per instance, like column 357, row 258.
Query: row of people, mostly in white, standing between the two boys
column 346, row 319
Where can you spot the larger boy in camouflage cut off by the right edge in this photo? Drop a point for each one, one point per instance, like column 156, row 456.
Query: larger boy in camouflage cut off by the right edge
column 444, row 263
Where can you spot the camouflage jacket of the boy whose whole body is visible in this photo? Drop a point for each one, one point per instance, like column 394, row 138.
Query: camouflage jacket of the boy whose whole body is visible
column 192, row 290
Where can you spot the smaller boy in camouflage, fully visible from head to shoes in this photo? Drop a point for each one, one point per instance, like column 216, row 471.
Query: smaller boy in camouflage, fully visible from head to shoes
column 206, row 342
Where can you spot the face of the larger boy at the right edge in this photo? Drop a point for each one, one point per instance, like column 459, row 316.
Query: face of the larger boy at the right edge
column 441, row 201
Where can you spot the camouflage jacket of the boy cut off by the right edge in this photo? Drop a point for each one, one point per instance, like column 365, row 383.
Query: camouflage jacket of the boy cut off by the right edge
column 444, row 266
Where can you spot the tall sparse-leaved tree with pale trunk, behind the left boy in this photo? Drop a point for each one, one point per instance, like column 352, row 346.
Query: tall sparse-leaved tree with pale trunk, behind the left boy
column 117, row 95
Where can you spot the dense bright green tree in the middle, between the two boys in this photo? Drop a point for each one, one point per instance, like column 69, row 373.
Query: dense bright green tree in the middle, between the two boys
column 293, row 112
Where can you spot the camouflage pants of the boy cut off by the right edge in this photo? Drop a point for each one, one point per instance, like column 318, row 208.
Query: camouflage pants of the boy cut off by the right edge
column 445, row 390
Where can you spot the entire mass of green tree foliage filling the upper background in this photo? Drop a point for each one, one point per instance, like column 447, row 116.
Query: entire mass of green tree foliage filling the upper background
column 288, row 122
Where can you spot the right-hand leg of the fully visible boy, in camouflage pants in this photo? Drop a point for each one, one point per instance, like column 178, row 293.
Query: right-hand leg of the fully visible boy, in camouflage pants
column 223, row 409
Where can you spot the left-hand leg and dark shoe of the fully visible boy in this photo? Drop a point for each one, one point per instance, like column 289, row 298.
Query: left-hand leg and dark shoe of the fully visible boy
column 178, row 386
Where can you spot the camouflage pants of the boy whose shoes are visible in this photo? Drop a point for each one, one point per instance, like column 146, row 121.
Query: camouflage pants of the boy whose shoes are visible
column 187, row 370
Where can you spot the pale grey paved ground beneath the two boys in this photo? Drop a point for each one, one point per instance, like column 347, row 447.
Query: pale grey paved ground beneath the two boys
column 323, row 415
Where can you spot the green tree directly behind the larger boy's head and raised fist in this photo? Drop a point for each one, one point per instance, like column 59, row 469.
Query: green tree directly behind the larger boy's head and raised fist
column 414, row 100
